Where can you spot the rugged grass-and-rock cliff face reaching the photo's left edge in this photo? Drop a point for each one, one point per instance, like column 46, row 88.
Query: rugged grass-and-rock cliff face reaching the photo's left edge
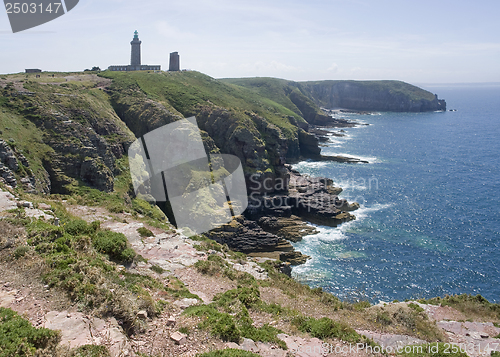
column 79, row 132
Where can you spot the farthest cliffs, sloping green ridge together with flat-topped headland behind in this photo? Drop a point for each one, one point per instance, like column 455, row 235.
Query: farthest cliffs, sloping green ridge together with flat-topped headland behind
column 305, row 97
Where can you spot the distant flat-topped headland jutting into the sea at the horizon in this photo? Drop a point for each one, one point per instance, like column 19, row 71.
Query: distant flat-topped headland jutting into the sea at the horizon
column 374, row 96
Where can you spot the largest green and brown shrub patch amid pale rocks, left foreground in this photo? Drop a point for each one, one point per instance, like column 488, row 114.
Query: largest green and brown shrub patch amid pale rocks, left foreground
column 80, row 259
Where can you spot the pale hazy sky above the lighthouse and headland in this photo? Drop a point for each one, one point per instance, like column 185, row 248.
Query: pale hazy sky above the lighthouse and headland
column 425, row 41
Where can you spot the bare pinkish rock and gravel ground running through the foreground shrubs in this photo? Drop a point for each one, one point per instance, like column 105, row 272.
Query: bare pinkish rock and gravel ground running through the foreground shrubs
column 176, row 254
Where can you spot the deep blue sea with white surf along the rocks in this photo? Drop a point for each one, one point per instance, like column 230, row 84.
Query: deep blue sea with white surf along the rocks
column 429, row 222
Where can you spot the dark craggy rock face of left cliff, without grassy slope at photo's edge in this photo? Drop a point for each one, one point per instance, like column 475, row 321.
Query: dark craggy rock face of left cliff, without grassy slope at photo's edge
column 85, row 142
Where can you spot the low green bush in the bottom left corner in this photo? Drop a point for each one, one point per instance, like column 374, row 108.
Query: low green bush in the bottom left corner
column 19, row 338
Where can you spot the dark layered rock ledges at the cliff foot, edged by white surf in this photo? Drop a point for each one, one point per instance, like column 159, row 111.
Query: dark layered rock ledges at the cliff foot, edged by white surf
column 273, row 220
